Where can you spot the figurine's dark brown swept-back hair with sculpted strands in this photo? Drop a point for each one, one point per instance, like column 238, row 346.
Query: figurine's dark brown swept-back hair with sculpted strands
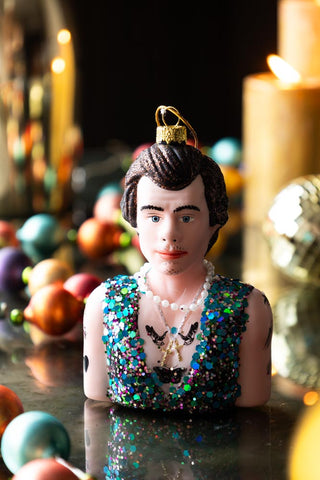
column 174, row 167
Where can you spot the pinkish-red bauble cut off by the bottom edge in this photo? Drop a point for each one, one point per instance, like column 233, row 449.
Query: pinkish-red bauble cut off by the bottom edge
column 44, row 469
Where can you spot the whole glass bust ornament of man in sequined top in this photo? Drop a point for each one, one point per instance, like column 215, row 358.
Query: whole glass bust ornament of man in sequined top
column 176, row 336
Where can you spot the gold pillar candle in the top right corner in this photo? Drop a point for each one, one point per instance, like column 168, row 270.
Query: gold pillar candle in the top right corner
column 299, row 35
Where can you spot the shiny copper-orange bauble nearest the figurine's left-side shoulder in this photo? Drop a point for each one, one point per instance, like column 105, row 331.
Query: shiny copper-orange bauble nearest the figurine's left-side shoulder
column 54, row 310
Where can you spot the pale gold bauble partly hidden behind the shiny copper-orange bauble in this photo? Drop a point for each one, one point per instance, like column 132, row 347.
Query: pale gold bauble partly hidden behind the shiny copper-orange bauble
column 46, row 272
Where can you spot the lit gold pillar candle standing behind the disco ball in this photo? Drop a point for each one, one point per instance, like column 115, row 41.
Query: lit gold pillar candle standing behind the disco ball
column 281, row 138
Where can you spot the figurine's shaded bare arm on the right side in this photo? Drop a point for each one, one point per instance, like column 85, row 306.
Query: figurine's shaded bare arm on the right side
column 255, row 353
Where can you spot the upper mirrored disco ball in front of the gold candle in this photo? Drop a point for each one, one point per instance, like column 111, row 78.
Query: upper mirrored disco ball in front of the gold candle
column 292, row 229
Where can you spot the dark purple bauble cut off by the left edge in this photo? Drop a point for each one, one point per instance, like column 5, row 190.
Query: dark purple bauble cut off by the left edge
column 12, row 263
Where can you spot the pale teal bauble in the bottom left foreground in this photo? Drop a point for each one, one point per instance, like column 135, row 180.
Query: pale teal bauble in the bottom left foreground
column 33, row 435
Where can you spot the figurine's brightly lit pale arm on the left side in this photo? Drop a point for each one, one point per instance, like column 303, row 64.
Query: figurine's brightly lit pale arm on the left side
column 95, row 374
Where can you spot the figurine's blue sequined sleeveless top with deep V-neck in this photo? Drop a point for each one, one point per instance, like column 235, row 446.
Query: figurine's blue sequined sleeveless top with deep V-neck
column 211, row 381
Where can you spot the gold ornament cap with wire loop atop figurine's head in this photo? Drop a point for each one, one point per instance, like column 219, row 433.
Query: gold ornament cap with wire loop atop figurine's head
column 173, row 133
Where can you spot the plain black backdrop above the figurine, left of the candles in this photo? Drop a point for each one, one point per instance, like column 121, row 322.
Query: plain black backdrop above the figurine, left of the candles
column 133, row 56
